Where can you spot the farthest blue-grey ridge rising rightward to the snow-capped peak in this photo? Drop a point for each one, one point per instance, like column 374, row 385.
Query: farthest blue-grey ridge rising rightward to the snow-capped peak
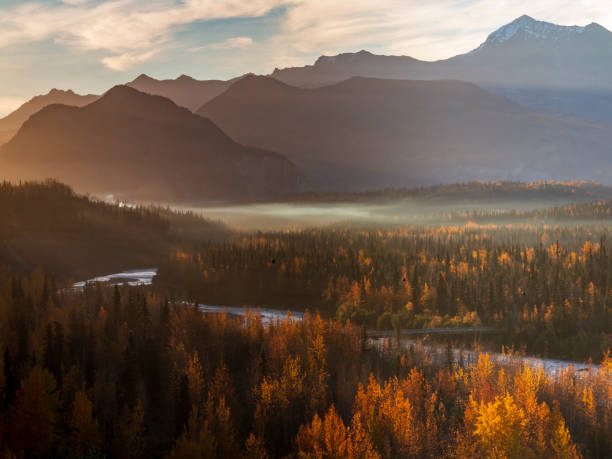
column 562, row 69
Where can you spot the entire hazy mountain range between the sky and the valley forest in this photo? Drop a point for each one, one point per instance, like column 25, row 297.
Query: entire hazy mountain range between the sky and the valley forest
column 532, row 102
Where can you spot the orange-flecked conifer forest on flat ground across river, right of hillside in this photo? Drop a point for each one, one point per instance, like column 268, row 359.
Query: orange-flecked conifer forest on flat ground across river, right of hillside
column 548, row 289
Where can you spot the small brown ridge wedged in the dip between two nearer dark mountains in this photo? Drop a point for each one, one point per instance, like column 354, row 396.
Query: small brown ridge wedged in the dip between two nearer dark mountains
column 184, row 91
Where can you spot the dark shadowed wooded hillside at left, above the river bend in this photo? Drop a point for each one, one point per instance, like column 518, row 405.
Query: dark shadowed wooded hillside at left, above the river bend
column 46, row 225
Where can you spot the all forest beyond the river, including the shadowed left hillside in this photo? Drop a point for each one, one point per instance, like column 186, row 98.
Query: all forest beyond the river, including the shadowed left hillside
column 545, row 287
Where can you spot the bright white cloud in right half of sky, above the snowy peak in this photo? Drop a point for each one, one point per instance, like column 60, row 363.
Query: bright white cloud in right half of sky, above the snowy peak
column 433, row 29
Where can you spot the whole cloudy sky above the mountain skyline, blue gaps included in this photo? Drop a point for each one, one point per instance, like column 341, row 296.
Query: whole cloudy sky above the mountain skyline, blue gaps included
column 91, row 45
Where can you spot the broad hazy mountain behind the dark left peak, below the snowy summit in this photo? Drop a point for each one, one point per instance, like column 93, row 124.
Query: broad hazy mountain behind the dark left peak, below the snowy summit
column 405, row 133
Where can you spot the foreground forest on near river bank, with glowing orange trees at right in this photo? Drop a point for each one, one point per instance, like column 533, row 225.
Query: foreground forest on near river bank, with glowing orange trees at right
column 123, row 372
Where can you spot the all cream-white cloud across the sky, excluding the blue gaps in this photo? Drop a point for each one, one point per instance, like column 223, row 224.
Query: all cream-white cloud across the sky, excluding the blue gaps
column 129, row 32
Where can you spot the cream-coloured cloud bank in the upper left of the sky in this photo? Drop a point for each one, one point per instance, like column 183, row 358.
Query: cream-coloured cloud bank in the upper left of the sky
column 129, row 31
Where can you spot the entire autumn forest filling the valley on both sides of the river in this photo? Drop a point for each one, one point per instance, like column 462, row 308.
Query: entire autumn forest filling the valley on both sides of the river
column 118, row 371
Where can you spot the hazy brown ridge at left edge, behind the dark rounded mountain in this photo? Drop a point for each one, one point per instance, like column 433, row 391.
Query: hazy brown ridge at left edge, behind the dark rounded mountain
column 10, row 124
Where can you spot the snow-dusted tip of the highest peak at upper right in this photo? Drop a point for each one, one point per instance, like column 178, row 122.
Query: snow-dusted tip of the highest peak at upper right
column 528, row 28
